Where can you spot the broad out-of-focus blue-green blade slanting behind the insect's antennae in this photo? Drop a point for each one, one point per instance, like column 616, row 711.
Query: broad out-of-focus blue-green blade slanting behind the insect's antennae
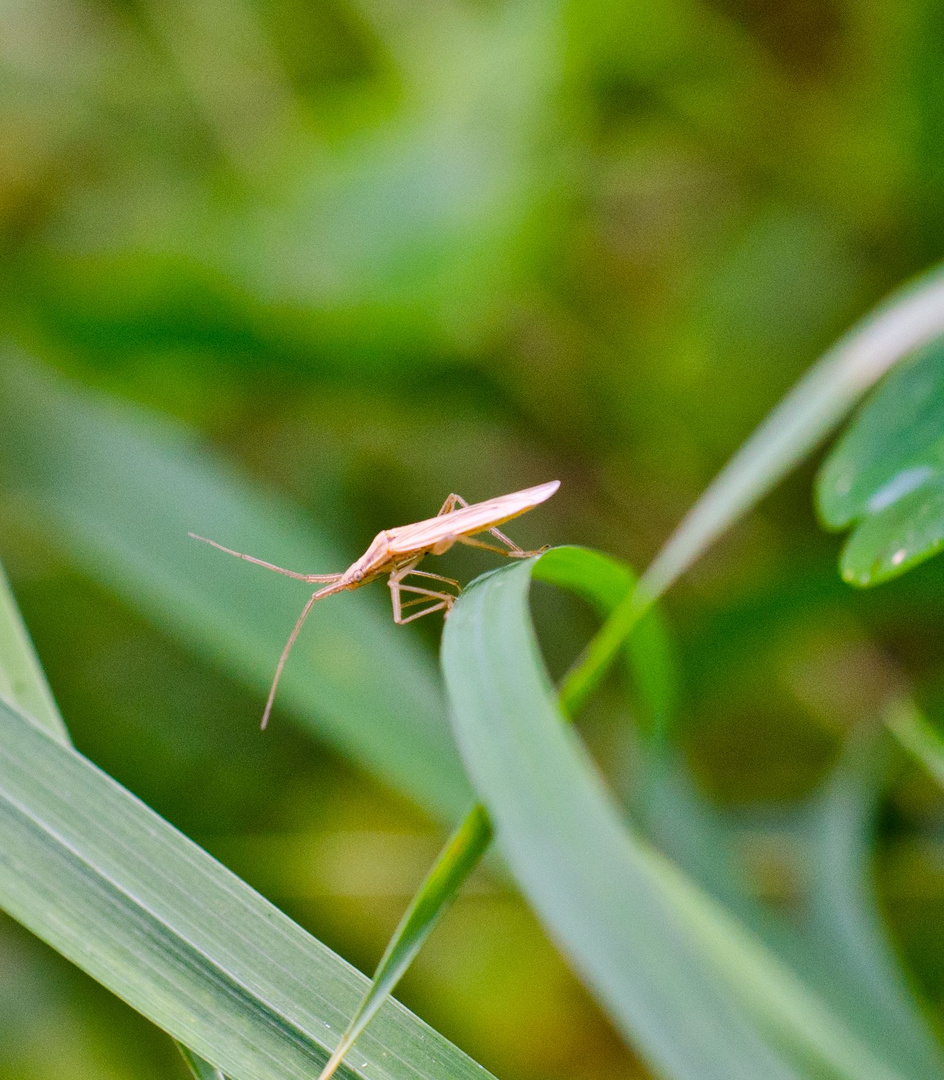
column 120, row 490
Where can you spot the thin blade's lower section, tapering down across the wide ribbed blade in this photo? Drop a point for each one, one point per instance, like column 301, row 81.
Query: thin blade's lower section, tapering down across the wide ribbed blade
column 455, row 863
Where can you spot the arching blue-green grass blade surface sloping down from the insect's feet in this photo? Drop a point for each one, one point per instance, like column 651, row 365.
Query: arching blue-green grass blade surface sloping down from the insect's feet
column 696, row 991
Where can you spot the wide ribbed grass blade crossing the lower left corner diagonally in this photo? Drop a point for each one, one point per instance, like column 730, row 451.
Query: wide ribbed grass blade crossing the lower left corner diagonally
column 116, row 889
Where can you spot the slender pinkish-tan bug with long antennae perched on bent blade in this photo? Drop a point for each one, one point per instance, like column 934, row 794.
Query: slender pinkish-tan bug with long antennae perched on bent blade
column 398, row 552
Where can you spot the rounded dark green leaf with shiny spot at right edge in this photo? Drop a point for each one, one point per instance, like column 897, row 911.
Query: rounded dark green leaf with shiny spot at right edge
column 886, row 475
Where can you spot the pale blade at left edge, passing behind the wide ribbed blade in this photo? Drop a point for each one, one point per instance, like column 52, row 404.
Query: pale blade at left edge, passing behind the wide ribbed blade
column 24, row 683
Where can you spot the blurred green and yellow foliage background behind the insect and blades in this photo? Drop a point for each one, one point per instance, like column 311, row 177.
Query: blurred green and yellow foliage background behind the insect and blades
column 375, row 252
